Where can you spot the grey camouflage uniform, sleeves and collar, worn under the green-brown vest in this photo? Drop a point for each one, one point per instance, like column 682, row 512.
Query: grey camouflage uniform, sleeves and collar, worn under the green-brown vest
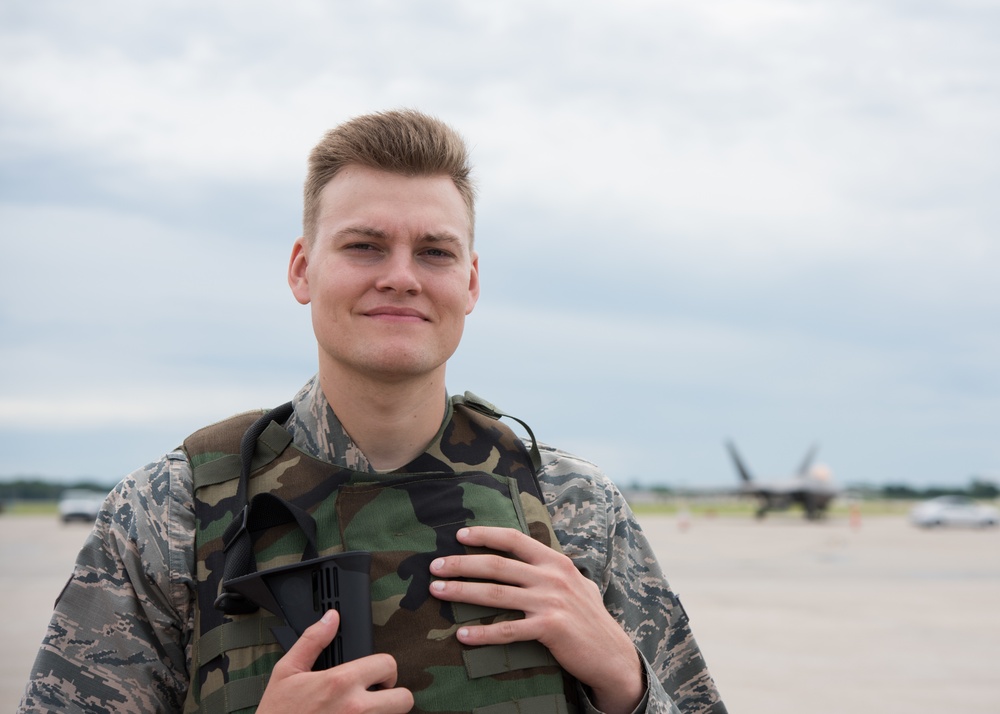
column 120, row 636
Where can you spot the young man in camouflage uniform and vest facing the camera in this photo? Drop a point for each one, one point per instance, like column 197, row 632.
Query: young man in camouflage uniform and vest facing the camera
column 506, row 577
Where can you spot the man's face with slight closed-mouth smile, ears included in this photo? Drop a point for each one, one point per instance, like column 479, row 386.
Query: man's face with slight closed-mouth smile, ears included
column 390, row 274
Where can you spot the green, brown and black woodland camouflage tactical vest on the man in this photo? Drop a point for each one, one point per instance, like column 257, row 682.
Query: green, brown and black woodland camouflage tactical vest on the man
column 477, row 473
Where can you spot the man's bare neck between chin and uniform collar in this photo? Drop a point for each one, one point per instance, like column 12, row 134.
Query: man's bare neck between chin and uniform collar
column 391, row 422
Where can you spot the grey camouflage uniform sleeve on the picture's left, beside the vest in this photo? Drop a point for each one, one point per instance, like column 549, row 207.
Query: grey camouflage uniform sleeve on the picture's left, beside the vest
column 119, row 636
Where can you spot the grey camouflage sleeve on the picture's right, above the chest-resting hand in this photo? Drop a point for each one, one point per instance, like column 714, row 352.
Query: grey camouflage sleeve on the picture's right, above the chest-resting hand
column 598, row 531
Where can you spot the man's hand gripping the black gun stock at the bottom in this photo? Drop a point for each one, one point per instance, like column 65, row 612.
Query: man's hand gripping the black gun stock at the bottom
column 295, row 688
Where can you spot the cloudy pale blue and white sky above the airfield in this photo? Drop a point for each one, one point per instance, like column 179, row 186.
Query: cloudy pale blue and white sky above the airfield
column 762, row 220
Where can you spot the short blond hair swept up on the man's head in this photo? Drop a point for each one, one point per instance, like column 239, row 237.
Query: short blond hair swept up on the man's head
column 402, row 141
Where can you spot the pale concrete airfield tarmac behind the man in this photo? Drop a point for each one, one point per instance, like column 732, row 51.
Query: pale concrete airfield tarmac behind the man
column 793, row 617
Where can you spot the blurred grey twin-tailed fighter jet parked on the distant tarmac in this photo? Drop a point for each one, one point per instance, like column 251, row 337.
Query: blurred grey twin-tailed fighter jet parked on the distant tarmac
column 811, row 487
